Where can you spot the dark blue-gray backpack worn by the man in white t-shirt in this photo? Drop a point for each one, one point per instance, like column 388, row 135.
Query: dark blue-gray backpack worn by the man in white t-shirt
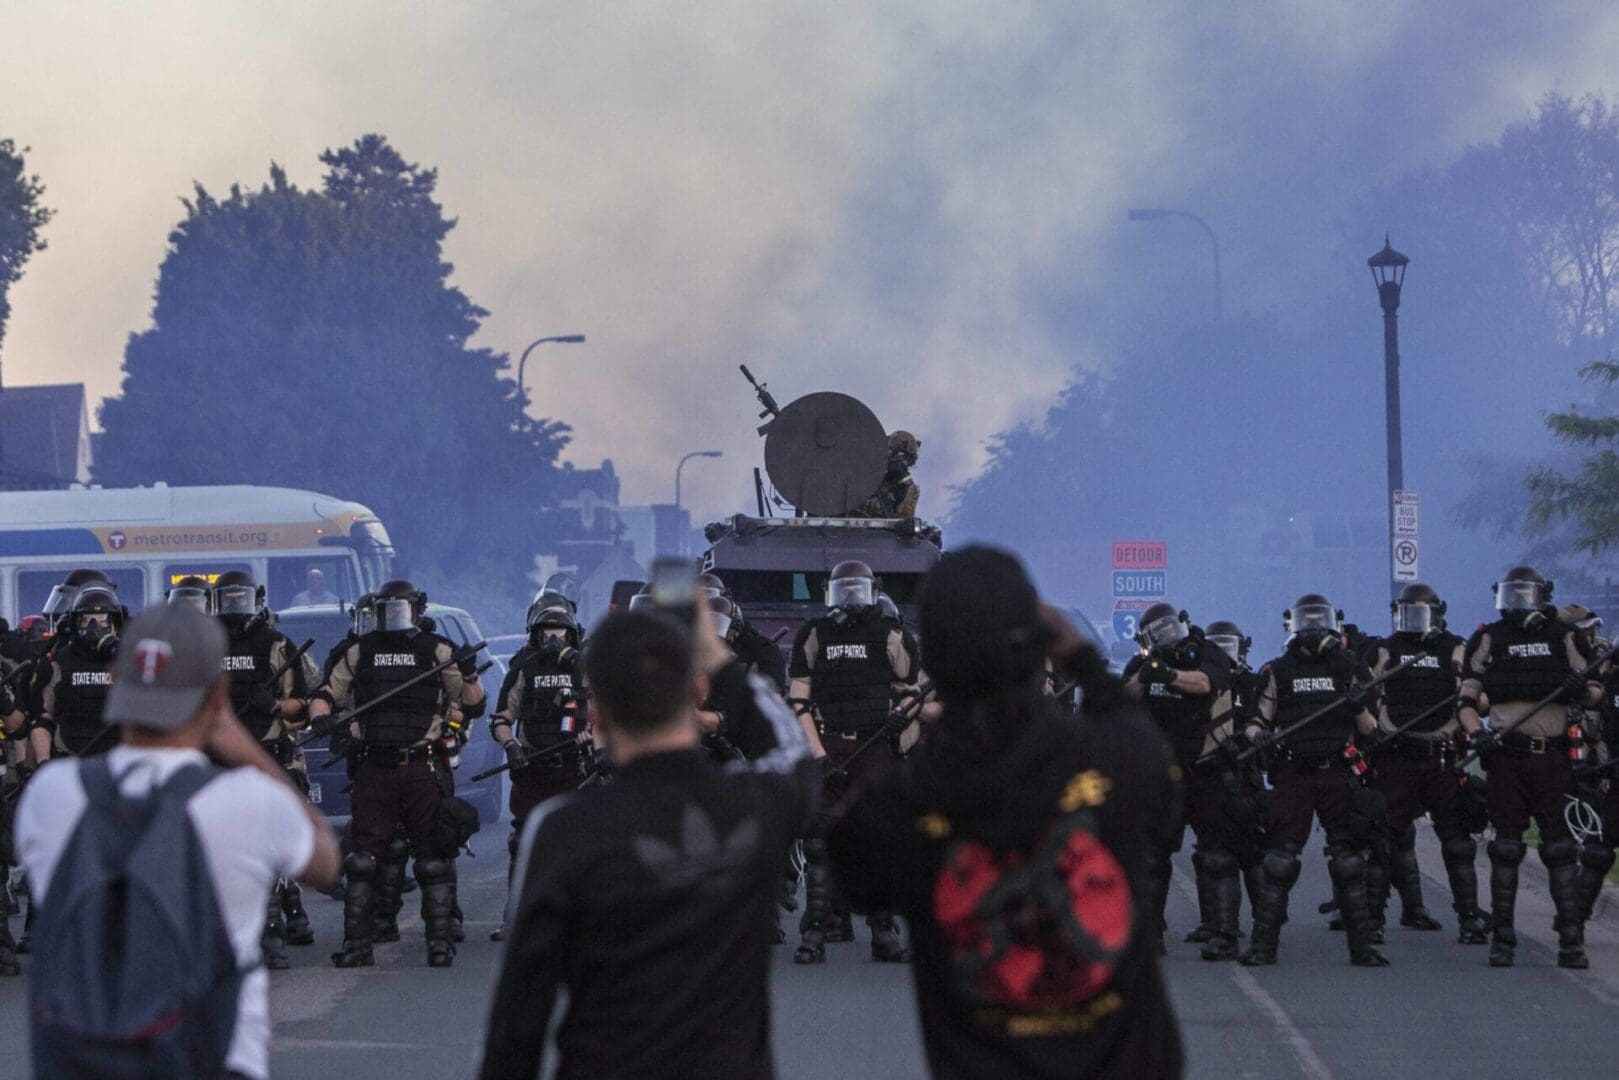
column 135, row 974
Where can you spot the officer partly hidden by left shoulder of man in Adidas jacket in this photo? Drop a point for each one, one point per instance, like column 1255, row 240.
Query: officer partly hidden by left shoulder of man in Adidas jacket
column 542, row 723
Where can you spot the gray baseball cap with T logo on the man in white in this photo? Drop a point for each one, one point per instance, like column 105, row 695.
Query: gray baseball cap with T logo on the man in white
column 169, row 658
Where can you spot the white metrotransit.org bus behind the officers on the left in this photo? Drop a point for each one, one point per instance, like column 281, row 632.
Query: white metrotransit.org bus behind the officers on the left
column 148, row 538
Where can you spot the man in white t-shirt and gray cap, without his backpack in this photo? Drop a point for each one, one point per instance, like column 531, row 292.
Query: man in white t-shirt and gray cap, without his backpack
column 174, row 705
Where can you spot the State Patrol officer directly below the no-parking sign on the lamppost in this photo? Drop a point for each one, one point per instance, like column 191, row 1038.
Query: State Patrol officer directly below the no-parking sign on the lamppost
column 1414, row 768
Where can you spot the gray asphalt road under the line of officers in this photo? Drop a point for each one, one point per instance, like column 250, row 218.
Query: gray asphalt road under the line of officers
column 1437, row 1013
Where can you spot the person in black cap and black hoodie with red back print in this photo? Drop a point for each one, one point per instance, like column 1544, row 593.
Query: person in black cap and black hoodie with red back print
column 1018, row 844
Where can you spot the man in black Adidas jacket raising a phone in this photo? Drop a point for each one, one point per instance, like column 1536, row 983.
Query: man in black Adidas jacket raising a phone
column 648, row 898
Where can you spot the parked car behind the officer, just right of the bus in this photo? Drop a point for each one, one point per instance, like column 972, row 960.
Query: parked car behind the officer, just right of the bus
column 329, row 778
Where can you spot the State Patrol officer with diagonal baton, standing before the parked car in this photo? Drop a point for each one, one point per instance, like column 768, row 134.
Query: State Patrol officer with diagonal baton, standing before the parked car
column 412, row 678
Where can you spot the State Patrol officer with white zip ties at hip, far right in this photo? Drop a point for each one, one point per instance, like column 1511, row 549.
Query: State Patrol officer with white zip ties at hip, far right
column 1510, row 665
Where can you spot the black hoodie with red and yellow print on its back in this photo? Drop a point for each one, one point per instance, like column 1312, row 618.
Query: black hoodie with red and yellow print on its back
column 896, row 846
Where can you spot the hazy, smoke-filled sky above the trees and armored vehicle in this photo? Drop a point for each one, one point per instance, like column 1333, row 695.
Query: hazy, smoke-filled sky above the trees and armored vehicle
column 898, row 200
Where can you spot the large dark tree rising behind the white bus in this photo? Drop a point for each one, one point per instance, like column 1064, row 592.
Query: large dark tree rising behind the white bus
column 315, row 339
